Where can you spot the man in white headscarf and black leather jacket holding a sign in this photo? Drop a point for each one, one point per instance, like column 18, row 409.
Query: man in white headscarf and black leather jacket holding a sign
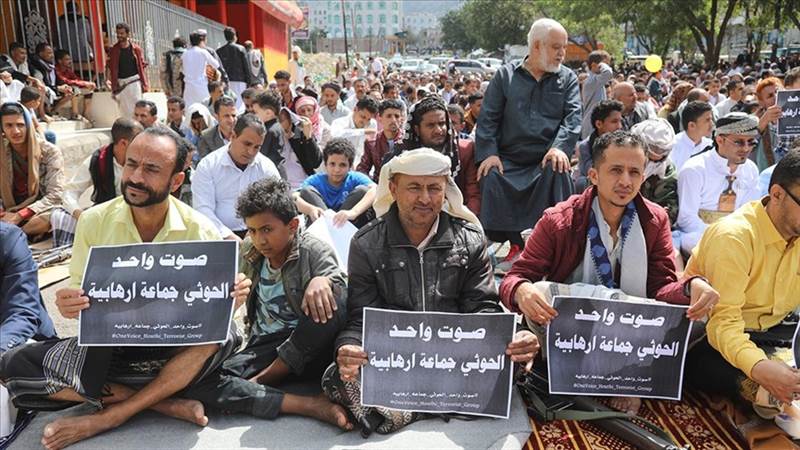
column 424, row 252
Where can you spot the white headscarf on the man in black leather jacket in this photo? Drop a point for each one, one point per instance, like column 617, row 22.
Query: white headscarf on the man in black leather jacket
column 422, row 162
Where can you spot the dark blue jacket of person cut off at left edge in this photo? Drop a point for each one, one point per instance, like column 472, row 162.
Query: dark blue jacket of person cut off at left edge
column 22, row 312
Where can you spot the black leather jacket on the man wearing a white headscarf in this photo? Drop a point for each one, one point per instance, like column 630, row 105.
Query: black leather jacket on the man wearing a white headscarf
column 386, row 271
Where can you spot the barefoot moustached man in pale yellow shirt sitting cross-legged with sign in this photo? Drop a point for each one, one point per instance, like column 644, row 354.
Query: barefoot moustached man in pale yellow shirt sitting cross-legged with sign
column 122, row 381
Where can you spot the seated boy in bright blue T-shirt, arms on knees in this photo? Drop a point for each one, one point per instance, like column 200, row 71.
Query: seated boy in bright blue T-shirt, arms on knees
column 339, row 189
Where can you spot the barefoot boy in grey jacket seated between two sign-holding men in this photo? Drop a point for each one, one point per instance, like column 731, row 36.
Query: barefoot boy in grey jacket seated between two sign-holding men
column 295, row 310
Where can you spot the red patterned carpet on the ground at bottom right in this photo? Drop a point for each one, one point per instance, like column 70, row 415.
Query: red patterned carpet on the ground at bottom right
column 691, row 422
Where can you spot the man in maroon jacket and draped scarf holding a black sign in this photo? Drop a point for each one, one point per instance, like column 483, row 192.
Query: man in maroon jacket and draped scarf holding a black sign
column 627, row 243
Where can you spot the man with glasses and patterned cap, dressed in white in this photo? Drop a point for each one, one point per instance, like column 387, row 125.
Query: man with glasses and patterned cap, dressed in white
column 716, row 182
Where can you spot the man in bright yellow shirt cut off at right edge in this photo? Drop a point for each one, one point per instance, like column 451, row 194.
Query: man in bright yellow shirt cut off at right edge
column 753, row 258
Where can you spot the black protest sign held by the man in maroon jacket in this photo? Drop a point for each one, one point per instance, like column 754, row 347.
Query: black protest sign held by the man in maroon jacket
column 617, row 348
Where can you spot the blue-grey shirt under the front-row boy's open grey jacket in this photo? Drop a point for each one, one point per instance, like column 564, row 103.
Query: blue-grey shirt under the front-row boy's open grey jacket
column 274, row 313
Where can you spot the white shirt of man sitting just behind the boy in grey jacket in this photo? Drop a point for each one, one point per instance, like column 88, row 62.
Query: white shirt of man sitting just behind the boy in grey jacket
column 217, row 183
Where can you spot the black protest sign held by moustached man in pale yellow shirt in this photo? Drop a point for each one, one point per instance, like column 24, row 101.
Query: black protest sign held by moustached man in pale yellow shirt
column 176, row 293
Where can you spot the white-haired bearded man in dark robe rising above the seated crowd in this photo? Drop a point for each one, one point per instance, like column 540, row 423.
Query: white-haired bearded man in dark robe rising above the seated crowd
column 529, row 124
